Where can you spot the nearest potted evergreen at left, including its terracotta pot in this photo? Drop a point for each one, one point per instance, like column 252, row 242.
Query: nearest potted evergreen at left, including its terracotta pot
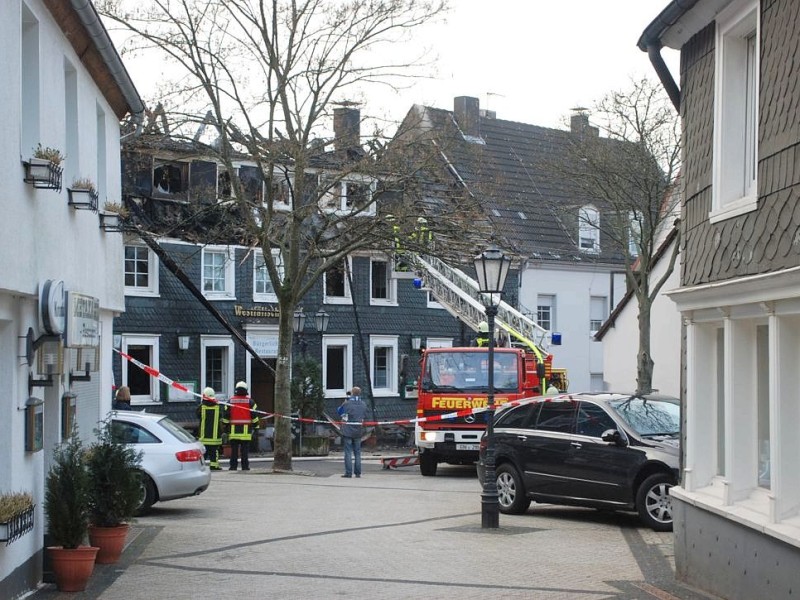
column 66, row 505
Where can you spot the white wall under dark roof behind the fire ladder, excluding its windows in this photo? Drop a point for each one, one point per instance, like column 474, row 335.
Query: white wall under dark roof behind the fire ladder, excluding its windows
column 572, row 289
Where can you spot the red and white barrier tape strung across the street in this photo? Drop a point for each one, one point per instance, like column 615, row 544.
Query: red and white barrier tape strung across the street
column 474, row 410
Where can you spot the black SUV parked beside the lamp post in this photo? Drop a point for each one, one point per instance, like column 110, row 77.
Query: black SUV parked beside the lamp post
column 607, row 451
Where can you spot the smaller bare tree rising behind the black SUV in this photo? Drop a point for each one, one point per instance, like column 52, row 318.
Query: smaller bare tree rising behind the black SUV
column 630, row 174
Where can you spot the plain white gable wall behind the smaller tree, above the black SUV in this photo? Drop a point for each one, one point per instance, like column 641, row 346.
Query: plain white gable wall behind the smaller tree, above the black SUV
column 621, row 341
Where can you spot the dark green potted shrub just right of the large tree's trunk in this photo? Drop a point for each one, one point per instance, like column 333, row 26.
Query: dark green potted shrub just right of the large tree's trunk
column 308, row 400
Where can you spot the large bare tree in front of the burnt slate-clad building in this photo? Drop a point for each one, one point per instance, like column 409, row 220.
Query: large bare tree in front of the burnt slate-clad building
column 269, row 75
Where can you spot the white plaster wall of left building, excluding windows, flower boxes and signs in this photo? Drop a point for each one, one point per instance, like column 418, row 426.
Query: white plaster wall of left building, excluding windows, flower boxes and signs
column 44, row 238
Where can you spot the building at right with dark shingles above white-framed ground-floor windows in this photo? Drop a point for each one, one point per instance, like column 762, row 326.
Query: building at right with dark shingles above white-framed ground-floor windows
column 737, row 510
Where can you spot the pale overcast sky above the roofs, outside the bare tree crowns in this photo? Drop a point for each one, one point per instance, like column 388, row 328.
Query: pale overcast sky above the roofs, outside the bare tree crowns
column 528, row 60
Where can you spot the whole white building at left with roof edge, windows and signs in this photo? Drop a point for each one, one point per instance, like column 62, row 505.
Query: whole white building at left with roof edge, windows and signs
column 65, row 89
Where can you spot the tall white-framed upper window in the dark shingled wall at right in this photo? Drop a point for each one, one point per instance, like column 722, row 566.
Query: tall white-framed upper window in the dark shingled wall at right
column 736, row 76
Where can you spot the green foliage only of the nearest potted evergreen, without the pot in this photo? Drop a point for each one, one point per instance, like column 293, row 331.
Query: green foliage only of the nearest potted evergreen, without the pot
column 66, row 498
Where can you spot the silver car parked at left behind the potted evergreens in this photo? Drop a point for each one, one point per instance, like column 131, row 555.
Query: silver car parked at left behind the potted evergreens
column 172, row 458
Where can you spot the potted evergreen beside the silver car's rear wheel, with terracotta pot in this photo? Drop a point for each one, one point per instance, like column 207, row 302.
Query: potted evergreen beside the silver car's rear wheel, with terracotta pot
column 114, row 491
